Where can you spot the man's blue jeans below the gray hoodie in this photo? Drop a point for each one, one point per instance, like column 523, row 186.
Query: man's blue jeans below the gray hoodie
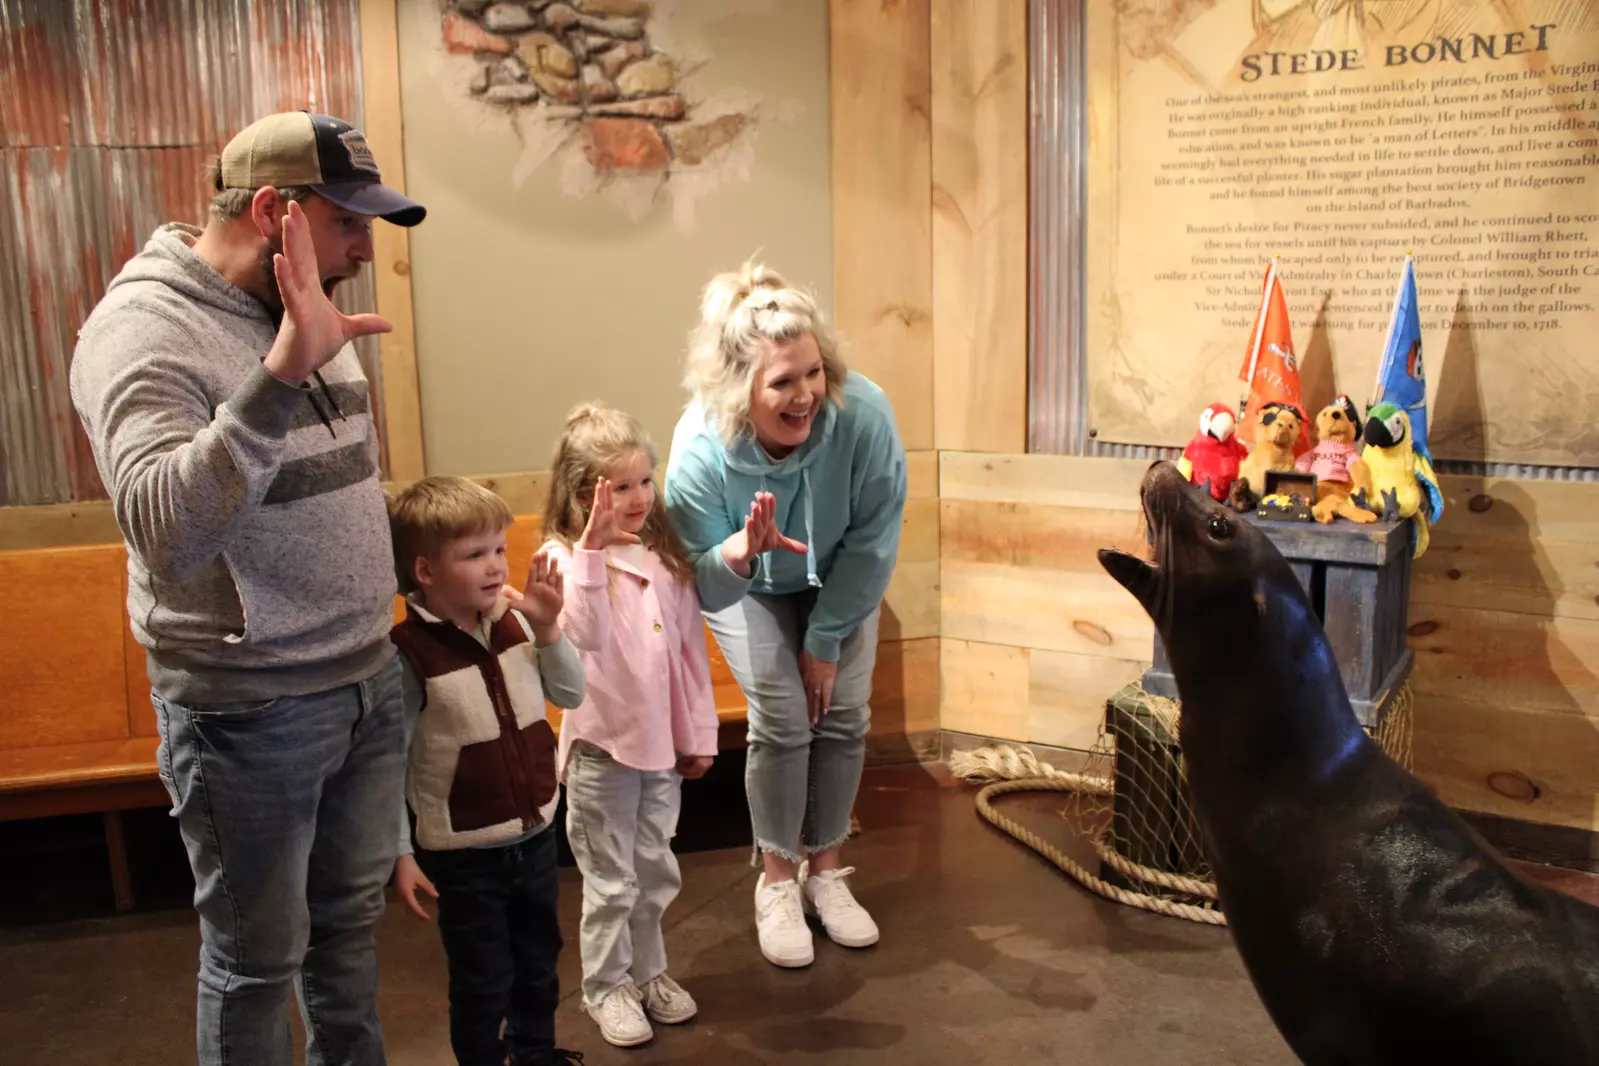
column 289, row 809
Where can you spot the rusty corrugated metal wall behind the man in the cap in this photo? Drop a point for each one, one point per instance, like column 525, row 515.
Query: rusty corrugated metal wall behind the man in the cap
column 110, row 111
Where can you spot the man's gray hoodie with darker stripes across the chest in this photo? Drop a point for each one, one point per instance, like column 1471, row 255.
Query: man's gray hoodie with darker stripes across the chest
column 260, row 562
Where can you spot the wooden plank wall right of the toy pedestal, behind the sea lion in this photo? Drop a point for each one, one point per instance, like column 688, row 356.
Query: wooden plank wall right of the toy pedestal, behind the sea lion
column 1505, row 630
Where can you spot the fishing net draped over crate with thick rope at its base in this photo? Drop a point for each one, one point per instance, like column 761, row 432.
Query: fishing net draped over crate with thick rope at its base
column 1128, row 800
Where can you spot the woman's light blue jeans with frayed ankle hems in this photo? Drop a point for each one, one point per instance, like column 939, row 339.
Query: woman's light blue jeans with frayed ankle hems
column 800, row 779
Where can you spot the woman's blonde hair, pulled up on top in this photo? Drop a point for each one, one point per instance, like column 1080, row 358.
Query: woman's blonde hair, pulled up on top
column 743, row 314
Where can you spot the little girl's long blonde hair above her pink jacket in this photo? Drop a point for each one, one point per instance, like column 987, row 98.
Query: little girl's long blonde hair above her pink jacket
column 596, row 440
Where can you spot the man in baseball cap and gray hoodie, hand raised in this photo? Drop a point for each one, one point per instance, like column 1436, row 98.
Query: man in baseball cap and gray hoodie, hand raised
column 234, row 431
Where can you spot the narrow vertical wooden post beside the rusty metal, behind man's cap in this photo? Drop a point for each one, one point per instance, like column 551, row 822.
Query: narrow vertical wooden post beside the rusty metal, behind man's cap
column 391, row 244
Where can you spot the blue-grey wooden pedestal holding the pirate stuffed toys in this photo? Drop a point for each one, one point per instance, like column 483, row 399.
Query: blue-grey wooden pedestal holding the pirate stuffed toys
column 1358, row 578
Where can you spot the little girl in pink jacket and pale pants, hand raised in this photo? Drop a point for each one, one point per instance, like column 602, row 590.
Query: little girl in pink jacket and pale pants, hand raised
column 648, row 720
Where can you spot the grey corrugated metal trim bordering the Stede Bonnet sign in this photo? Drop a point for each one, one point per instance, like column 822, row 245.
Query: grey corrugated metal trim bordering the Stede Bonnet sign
column 1058, row 349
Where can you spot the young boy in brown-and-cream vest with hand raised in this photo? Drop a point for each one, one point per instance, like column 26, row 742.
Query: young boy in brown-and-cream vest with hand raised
column 479, row 664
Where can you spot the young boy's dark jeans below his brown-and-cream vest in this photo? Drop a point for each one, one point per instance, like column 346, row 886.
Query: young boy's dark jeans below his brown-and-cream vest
column 496, row 915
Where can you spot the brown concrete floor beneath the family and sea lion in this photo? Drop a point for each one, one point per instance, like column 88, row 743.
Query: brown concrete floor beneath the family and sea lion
column 987, row 957
